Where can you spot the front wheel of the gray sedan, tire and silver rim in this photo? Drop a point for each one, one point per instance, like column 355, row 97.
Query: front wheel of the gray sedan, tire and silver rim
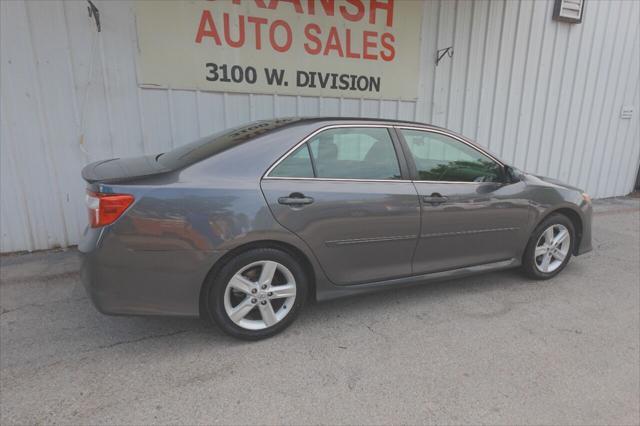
column 549, row 248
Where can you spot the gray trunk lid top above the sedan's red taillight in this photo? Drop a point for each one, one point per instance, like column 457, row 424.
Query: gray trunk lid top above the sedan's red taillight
column 117, row 170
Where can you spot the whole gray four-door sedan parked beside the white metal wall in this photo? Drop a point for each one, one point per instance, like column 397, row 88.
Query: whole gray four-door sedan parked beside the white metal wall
column 245, row 226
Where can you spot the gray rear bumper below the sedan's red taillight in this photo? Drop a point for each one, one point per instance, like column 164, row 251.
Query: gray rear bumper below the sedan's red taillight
column 120, row 281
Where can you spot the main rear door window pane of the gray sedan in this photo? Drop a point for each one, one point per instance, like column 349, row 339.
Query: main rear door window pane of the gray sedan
column 355, row 153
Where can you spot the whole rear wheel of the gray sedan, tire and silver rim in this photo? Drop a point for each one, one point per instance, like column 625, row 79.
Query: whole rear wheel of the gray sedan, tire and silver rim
column 257, row 293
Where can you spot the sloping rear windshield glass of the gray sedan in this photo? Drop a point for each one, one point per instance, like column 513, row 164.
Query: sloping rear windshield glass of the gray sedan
column 218, row 142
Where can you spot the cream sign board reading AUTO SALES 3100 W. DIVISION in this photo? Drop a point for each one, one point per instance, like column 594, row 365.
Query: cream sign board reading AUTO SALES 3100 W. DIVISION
column 351, row 48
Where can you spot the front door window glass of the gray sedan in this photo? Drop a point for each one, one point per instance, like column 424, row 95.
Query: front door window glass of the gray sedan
column 442, row 158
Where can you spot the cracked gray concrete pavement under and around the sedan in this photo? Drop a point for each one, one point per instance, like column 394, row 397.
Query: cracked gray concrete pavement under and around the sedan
column 492, row 349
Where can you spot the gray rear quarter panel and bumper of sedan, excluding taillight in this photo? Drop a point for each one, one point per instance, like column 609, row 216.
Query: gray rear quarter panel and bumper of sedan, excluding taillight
column 155, row 258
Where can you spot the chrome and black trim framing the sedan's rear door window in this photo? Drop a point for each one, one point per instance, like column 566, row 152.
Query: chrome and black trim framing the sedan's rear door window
column 400, row 156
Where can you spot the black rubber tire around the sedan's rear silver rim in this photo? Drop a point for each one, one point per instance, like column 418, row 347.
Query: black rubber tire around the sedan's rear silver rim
column 218, row 284
